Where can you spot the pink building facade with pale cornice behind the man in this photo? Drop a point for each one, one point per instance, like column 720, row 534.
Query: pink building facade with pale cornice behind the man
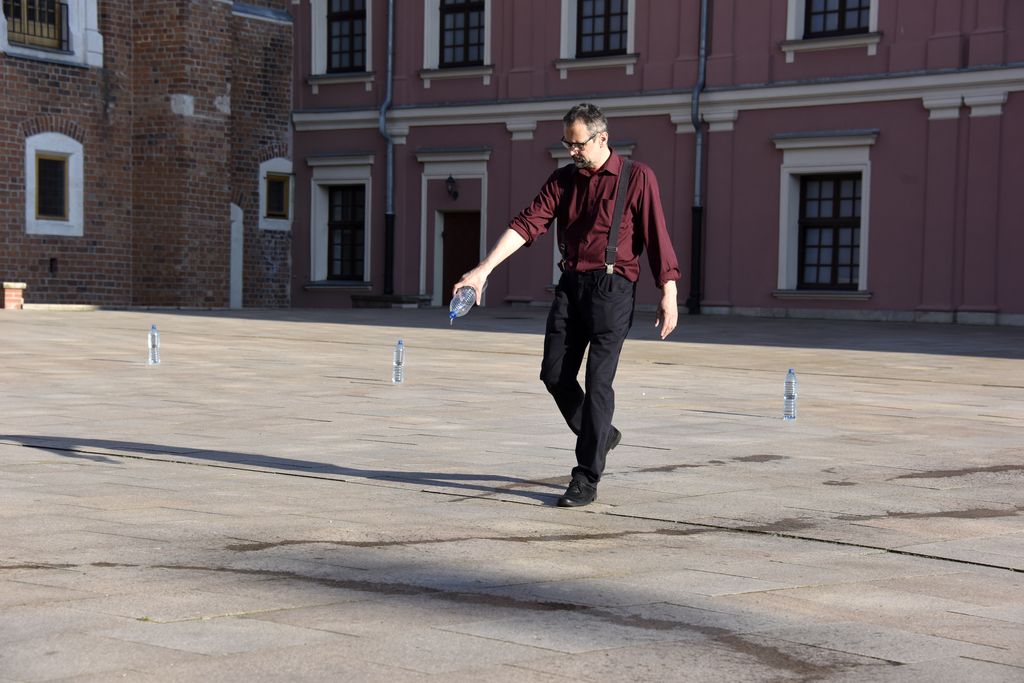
column 852, row 158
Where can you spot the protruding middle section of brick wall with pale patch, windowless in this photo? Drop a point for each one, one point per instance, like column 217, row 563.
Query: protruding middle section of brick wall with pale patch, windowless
column 182, row 154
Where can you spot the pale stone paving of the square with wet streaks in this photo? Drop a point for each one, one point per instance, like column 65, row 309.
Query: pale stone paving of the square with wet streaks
column 267, row 506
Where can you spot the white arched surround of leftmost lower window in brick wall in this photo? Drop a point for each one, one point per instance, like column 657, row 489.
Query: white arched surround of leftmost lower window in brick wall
column 70, row 149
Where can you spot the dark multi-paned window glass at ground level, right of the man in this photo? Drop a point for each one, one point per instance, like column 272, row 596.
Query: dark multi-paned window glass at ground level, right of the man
column 830, row 232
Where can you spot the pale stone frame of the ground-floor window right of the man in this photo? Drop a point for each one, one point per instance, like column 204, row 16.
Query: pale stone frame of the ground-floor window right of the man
column 817, row 155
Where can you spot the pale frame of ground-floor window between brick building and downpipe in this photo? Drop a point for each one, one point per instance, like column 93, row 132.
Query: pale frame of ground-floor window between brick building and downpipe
column 330, row 172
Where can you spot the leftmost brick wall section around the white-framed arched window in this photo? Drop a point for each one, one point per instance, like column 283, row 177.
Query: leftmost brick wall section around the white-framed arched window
column 94, row 107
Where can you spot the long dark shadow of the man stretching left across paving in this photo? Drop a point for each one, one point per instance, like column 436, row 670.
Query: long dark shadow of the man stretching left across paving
column 106, row 451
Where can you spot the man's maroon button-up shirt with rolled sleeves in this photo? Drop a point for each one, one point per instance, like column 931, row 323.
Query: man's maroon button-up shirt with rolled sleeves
column 583, row 201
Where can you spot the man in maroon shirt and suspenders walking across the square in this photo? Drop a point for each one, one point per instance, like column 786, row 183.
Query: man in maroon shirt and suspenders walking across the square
column 596, row 293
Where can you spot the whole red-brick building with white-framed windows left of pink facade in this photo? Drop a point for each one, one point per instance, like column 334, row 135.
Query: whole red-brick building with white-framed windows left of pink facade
column 146, row 152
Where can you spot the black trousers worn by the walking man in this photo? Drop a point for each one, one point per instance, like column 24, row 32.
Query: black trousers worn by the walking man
column 591, row 310
